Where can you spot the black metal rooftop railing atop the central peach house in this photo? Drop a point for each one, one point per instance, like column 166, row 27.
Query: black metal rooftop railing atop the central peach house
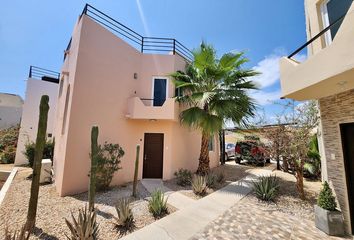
column 141, row 43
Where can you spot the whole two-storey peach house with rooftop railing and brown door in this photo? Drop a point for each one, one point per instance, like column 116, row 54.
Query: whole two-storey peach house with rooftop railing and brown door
column 121, row 83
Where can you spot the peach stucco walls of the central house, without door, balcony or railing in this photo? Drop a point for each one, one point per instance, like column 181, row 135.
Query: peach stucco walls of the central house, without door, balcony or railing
column 100, row 69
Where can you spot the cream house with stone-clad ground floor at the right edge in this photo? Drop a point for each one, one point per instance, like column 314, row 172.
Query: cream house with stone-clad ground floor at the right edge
column 328, row 76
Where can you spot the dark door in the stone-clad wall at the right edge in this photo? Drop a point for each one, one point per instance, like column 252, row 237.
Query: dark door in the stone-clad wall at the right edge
column 347, row 132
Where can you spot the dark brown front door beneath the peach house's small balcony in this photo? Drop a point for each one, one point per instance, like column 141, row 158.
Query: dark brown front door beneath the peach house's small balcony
column 153, row 155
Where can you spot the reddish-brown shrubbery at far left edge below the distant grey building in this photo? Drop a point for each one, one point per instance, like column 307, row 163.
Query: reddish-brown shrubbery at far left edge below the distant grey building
column 8, row 144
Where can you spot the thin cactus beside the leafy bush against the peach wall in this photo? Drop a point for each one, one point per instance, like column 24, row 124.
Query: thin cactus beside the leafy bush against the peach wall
column 94, row 159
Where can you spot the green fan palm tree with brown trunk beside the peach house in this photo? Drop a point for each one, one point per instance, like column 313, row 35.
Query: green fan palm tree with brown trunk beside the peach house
column 214, row 91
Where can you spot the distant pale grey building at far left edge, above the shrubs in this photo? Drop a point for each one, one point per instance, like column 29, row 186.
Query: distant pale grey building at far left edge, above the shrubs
column 10, row 110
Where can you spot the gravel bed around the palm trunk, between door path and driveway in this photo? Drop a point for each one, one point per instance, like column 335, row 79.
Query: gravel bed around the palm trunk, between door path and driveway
column 231, row 171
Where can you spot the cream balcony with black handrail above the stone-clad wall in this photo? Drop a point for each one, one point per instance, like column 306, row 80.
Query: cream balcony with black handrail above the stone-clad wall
column 328, row 72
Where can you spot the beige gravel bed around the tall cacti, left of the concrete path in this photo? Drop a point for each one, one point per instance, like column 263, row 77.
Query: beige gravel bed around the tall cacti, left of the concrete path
column 52, row 209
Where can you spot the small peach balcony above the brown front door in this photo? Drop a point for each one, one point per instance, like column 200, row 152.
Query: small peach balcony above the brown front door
column 143, row 109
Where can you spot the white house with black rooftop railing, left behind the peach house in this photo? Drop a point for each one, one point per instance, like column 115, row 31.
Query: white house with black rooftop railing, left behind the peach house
column 40, row 82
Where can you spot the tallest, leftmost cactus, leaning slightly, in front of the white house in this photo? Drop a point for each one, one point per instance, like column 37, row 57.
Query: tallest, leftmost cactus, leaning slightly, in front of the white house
column 38, row 154
